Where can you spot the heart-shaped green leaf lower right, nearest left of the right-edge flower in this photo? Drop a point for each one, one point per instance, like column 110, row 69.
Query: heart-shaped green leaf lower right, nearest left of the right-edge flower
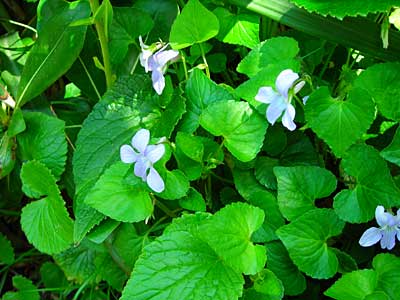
column 306, row 238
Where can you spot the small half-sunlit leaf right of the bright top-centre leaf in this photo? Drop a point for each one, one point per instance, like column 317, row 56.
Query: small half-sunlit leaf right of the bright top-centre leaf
column 238, row 29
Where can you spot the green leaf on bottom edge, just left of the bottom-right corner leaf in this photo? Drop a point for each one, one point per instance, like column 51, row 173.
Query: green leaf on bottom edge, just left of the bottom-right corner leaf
column 353, row 286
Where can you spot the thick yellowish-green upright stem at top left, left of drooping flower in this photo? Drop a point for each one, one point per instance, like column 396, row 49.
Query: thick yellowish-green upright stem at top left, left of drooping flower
column 100, row 28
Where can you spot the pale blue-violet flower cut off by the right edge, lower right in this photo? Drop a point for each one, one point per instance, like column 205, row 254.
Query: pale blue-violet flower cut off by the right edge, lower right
column 386, row 233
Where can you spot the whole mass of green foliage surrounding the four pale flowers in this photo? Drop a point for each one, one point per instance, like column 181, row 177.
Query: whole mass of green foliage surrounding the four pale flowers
column 249, row 210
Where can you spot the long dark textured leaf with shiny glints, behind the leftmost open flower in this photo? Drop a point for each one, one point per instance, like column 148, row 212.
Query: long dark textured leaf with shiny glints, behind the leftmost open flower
column 123, row 110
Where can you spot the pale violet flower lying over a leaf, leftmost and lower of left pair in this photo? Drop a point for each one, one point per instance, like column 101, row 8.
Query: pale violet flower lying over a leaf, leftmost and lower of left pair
column 144, row 156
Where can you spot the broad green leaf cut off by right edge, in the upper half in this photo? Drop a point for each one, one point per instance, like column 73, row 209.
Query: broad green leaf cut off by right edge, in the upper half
column 382, row 81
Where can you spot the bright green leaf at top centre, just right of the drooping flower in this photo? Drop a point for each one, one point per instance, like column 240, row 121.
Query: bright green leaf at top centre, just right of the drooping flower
column 195, row 24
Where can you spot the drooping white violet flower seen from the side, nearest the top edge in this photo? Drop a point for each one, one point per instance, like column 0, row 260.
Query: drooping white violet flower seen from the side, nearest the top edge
column 156, row 63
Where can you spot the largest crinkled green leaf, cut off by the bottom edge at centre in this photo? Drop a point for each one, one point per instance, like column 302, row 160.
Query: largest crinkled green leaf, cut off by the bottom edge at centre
column 178, row 259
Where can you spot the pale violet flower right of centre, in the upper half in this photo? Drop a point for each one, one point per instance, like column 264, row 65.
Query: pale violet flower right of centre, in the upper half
column 279, row 100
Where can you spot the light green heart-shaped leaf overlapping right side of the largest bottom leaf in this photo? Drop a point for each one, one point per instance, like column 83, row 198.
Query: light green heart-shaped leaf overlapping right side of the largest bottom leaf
column 229, row 232
